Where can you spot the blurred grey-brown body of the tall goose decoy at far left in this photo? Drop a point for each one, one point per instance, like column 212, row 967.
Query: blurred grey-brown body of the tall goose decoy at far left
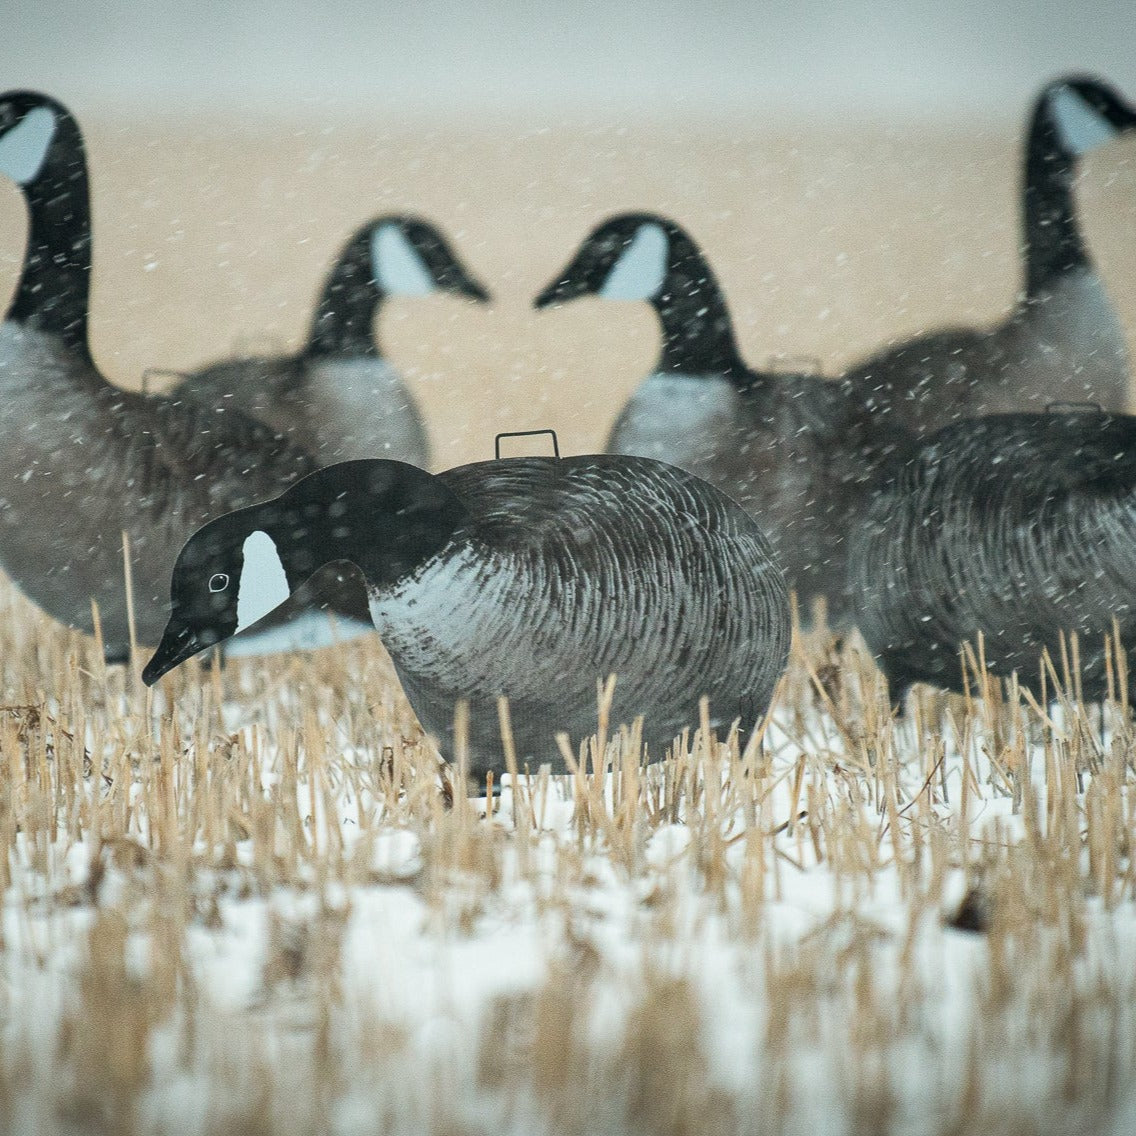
column 82, row 462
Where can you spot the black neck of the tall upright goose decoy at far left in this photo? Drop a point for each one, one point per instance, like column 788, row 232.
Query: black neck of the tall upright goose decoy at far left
column 54, row 290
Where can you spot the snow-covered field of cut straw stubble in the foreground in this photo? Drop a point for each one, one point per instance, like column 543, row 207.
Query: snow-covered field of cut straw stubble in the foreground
column 260, row 909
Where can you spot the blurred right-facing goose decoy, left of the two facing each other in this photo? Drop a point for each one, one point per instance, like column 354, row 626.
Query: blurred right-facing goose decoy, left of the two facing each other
column 339, row 398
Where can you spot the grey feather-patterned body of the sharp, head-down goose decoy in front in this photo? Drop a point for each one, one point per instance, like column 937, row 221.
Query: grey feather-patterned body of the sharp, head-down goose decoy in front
column 571, row 571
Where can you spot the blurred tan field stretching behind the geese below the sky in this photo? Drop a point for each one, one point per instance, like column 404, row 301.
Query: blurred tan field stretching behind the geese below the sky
column 212, row 238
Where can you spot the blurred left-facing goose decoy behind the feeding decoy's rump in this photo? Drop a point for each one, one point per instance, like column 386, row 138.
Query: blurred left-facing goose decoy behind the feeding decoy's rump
column 798, row 453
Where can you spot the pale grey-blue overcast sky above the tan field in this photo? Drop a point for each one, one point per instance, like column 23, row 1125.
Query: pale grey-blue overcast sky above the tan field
column 532, row 57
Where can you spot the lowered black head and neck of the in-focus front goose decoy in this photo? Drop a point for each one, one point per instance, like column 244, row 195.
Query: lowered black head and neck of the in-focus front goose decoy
column 386, row 517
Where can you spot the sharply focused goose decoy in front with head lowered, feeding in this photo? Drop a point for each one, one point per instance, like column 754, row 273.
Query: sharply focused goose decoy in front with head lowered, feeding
column 525, row 578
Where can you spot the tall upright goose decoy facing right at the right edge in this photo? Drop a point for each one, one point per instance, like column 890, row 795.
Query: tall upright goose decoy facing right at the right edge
column 1063, row 340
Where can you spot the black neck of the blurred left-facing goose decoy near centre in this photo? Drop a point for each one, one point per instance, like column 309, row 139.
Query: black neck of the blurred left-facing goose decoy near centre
column 698, row 333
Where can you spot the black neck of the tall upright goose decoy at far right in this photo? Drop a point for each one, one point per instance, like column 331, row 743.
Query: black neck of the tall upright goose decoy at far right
column 1053, row 239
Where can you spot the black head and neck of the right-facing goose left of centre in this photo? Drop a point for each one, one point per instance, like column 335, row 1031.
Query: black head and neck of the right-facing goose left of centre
column 391, row 256
